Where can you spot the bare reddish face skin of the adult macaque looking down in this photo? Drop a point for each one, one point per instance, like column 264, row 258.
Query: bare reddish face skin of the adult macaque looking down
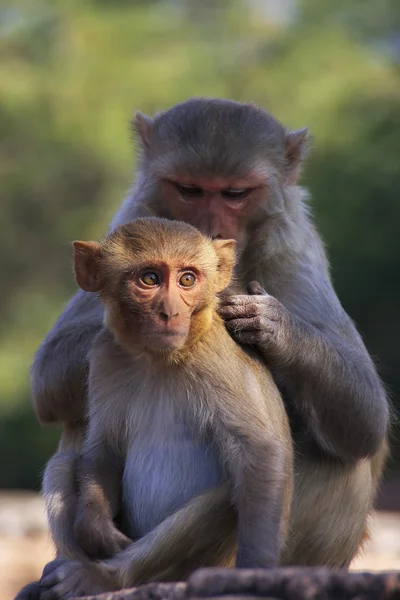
column 217, row 207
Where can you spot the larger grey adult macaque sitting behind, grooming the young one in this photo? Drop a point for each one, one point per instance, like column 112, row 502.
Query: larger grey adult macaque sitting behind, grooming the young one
column 231, row 170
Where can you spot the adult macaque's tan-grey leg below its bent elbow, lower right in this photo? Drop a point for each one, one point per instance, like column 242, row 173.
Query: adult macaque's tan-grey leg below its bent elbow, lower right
column 330, row 511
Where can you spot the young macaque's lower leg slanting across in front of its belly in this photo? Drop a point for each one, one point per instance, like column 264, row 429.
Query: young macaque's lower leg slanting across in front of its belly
column 201, row 534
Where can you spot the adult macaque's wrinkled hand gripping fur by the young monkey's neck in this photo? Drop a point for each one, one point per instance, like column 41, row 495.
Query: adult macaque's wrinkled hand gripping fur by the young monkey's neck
column 259, row 320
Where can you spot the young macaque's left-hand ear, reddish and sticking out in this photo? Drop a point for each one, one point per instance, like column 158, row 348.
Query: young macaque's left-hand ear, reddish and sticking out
column 86, row 259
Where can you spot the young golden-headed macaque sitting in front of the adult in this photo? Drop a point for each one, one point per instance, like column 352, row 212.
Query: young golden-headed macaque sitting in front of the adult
column 176, row 408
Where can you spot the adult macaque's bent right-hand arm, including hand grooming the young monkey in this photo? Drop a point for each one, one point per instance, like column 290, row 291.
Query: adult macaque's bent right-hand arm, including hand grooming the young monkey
column 323, row 369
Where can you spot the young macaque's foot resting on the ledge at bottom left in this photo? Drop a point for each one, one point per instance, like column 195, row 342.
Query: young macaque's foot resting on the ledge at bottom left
column 63, row 578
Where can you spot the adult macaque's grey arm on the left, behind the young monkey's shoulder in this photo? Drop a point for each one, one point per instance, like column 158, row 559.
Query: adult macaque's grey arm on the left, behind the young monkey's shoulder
column 59, row 370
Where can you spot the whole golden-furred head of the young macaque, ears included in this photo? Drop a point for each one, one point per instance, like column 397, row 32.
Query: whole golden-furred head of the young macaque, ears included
column 158, row 281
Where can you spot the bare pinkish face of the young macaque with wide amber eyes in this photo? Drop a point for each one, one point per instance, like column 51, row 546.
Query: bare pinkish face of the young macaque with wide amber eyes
column 166, row 296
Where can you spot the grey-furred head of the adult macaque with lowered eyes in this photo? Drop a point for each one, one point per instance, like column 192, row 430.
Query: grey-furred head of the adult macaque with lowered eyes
column 218, row 165
